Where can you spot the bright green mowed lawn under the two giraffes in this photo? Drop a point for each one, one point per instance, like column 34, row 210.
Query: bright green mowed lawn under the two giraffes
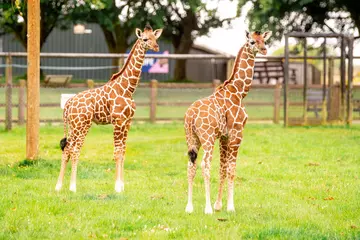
column 293, row 183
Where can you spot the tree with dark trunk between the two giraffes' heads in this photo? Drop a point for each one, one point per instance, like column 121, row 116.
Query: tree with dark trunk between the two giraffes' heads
column 183, row 21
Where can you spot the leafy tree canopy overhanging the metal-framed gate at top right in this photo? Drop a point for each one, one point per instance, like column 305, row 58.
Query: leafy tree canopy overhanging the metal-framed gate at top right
column 338, row 16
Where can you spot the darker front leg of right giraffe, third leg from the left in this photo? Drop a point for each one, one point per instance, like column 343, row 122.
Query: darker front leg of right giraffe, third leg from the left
column 222, row 171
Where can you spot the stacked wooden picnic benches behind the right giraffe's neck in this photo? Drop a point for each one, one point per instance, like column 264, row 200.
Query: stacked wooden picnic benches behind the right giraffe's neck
column 267, row 70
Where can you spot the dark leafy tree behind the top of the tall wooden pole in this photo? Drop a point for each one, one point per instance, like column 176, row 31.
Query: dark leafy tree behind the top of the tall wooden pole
column 13, row 18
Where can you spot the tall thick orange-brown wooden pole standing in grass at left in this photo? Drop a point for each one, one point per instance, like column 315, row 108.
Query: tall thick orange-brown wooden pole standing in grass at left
column 33, row 81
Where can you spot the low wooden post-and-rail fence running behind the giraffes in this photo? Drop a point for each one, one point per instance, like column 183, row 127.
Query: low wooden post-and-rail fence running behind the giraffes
column 153, row 102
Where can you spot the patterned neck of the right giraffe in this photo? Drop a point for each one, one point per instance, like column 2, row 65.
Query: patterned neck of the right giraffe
column 242, row 73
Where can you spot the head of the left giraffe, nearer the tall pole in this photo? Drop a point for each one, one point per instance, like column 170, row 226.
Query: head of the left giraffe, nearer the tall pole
column 148, row 37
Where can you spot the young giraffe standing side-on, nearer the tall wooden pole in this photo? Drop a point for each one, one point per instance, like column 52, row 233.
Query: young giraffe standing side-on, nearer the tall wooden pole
column 110, row 104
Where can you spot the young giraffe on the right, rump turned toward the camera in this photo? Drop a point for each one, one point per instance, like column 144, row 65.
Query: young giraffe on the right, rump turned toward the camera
column 222, row 115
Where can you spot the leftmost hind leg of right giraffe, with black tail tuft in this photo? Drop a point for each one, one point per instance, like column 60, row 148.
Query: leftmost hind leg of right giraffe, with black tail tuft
column 193, row 149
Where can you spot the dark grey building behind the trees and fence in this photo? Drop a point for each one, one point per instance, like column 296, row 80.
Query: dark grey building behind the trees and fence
column 93, row 41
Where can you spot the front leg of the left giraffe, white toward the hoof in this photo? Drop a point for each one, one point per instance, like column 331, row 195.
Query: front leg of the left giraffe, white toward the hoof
column 120, row 135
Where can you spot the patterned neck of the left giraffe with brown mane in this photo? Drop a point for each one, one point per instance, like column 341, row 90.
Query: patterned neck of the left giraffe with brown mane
column 129, row 75
